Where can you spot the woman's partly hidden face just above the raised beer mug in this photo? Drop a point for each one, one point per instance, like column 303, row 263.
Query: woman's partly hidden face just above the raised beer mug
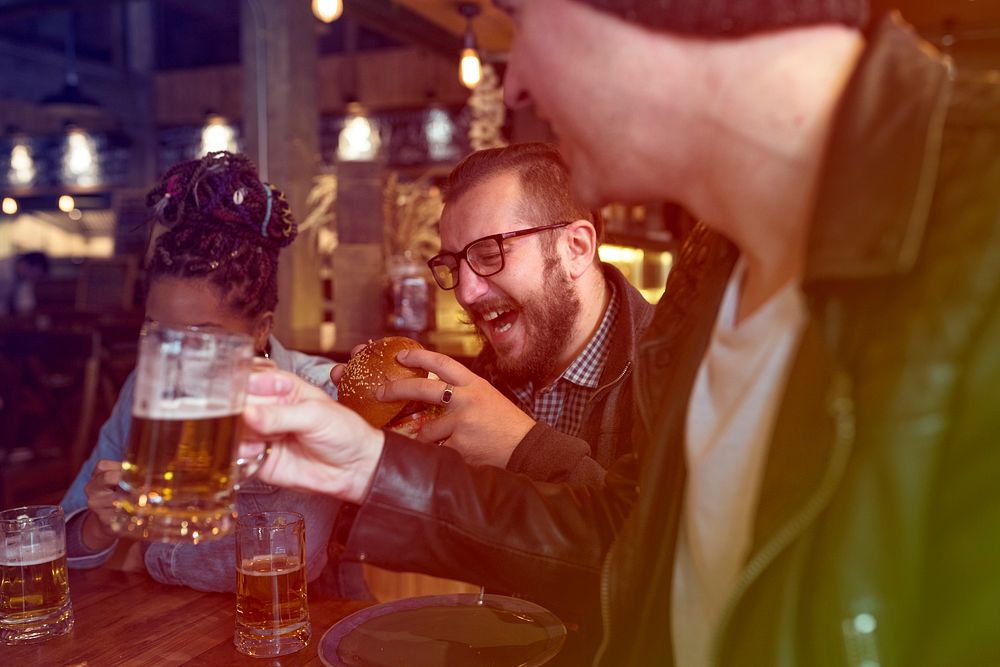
column 192, row 302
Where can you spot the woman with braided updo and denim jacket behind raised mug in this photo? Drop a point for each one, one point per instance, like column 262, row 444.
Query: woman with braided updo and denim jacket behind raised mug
column 214, row 265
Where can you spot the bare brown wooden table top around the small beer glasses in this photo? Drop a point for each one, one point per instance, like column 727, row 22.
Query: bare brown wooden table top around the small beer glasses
column 129, row 619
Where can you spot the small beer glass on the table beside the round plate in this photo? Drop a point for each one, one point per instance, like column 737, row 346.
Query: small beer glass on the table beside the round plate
column 272, row 611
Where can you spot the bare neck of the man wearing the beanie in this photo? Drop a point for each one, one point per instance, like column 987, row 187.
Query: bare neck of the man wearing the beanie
column 764, row 163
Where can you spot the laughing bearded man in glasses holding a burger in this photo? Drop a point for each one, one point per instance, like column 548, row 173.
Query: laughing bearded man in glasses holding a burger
column 550, row 394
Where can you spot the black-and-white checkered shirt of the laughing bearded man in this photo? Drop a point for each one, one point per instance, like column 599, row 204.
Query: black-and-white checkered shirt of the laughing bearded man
column 562, row 403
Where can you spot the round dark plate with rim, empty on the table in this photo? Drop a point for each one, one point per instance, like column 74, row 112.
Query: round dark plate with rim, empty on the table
column 445, row 631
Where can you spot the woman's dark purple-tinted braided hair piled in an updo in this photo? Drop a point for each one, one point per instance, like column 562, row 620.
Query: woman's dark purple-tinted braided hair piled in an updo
column 222, row 225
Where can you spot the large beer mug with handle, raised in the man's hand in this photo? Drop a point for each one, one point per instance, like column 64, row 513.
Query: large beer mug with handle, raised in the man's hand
column 180, row 472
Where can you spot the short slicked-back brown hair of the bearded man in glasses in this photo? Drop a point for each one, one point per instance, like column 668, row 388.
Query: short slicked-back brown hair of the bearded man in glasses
column 543, row 176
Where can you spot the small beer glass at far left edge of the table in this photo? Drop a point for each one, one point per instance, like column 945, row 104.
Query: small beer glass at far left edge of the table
column 34, row 587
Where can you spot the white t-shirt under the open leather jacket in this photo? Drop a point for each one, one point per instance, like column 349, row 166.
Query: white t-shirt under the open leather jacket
column 730, row 420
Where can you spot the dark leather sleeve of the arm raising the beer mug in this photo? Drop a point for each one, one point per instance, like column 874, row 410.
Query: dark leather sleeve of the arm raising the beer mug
column 430, row 512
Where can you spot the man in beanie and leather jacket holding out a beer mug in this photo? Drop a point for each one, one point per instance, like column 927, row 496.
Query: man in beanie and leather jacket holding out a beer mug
column 817, row 388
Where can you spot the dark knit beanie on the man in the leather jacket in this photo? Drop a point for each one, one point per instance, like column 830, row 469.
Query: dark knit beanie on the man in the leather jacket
column 734, row 18
